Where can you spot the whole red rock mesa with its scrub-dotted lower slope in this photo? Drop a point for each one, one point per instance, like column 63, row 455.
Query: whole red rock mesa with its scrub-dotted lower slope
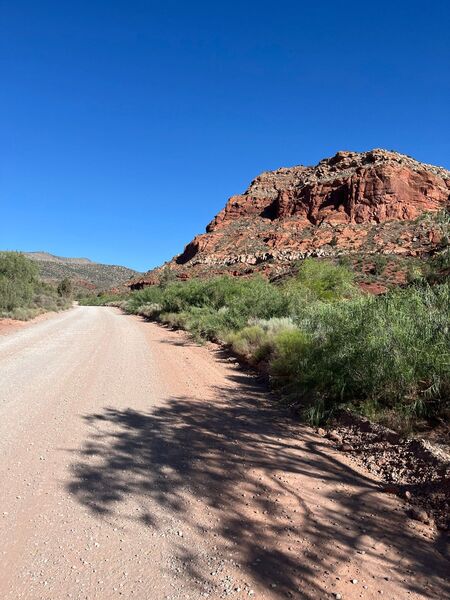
column 370, row 202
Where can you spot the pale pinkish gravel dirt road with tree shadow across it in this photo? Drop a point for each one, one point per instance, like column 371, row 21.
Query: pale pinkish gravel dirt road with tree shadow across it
column 136, row 464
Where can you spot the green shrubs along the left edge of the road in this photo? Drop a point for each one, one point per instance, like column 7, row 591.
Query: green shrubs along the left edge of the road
column 22, row 293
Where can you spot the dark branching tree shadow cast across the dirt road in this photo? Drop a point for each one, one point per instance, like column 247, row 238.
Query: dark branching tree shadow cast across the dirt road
column 239, row 452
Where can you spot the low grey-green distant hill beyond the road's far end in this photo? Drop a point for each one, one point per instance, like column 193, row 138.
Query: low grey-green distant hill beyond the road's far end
column 82, row 270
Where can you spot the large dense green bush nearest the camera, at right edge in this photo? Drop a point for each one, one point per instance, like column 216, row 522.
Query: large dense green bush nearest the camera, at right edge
column 392, row 352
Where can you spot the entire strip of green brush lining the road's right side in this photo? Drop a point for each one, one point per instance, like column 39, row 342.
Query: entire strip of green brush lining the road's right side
column 323, row 343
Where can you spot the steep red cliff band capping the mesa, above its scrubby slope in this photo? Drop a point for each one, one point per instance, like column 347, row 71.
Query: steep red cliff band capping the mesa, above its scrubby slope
column 351, row 187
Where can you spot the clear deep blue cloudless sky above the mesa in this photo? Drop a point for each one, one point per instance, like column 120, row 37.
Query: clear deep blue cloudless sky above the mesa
column 125, row 125
